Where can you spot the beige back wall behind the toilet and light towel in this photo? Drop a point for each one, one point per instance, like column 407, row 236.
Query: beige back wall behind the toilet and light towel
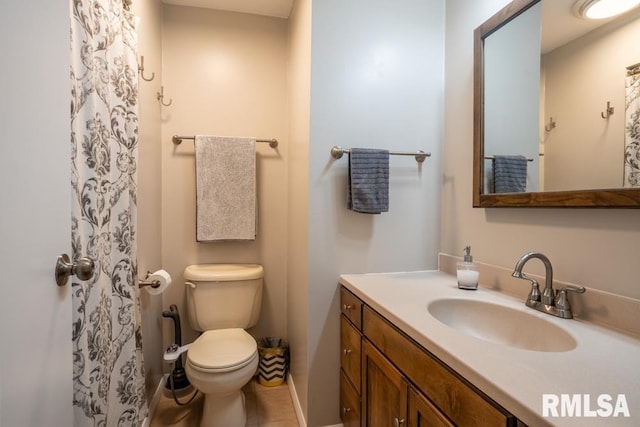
column 226, row 74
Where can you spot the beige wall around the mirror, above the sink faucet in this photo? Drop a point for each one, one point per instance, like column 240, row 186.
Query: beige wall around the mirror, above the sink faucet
column 596, row 248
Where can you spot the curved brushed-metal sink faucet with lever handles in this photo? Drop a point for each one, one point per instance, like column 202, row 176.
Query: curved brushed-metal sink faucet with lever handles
column 549, row 302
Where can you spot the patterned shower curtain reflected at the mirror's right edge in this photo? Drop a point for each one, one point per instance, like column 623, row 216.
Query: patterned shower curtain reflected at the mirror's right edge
column 632, row 130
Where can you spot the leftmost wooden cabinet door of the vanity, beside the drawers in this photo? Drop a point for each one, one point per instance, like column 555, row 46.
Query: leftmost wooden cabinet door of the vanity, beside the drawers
column 384, row 391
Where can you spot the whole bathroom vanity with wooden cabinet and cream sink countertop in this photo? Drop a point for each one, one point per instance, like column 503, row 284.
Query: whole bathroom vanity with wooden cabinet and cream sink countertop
column 404, row 362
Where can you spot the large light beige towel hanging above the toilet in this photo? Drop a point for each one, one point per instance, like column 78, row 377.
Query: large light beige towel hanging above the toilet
column 225, row 188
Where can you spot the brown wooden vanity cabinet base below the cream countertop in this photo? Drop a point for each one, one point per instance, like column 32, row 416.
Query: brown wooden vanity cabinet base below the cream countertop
column 401, row 384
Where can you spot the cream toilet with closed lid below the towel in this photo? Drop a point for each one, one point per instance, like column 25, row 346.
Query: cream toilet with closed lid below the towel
column 222, row 301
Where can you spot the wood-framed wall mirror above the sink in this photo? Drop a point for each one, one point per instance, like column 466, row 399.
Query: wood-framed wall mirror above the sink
column 556, row 108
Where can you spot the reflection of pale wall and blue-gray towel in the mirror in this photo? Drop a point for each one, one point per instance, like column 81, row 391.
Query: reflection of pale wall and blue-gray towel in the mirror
column 511, row 104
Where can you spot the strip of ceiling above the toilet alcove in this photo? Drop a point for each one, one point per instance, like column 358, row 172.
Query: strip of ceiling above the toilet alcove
column 275, row 8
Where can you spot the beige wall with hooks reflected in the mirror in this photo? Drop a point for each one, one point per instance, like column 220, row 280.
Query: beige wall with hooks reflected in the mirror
column 584, row 150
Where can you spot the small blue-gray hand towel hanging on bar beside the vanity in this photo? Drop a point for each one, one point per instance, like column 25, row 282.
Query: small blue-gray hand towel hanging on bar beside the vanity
column 368, row 180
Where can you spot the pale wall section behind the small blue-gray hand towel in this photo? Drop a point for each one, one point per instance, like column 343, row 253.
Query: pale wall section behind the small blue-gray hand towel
column 376, row 81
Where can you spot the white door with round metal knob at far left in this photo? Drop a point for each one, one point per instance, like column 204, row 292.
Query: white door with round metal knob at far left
column 35, row 315
